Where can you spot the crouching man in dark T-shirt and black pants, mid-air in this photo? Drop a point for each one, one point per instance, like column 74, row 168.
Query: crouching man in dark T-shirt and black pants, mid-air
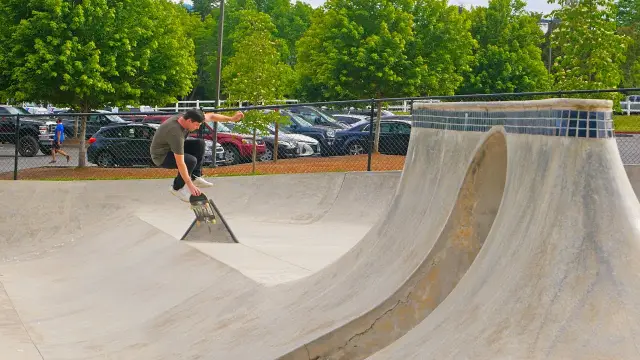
column 170, row 149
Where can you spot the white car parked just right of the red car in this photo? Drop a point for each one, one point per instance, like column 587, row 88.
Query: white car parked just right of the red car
column 289, row 144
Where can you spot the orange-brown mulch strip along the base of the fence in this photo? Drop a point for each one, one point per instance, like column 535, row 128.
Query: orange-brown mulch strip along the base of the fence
column 283, row 166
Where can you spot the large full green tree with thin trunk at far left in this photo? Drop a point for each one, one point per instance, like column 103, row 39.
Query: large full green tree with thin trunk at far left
column 89, row 54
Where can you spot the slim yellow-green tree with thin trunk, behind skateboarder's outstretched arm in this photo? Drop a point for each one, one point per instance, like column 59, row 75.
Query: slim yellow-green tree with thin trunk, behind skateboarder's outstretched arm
column 256, row 72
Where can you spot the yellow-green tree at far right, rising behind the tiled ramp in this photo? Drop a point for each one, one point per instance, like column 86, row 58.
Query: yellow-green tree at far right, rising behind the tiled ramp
column 591, row 51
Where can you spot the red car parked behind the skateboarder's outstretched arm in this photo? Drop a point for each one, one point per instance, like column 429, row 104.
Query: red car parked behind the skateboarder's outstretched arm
column 237, row 147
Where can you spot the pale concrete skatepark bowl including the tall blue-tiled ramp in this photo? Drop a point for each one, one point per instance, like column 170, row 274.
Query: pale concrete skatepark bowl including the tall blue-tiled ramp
column 511, row 233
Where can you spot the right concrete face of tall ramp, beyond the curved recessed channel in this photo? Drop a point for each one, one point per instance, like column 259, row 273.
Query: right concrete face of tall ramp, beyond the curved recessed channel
column 558, row 275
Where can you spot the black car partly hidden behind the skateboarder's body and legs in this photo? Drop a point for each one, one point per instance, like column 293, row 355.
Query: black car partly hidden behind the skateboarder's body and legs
column 129, row 144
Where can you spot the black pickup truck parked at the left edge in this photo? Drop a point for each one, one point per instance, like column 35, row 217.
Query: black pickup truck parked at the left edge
column 30, row 130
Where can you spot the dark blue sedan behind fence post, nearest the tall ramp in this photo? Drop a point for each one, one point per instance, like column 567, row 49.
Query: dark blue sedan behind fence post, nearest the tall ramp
column 394, row 138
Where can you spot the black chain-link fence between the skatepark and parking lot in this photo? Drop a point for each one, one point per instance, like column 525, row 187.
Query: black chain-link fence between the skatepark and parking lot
column 315, row 137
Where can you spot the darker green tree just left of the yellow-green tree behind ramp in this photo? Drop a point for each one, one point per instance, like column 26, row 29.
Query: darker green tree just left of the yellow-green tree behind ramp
column 508, row 57
